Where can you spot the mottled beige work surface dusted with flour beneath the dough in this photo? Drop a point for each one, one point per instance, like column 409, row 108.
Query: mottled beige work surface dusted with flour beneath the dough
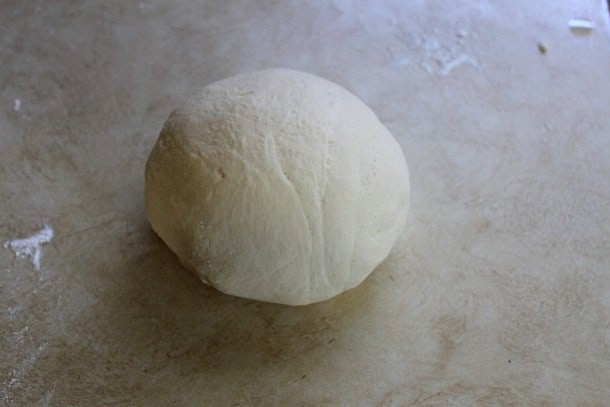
column 498, row 292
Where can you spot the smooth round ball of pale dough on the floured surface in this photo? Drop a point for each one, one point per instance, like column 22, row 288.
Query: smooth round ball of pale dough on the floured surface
column 277, row 185
